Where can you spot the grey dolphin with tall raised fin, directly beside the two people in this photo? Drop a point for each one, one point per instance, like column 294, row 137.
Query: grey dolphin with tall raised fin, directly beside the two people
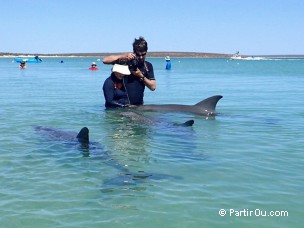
column 205, row 107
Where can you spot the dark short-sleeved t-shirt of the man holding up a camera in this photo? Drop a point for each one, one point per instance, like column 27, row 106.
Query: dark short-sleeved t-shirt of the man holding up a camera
column 134, row 87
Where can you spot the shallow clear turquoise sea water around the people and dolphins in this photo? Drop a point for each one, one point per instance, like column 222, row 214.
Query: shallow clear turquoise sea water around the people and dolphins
column 248, row 158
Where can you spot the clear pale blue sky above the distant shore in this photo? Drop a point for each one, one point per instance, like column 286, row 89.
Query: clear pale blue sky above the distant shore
column 253, row 27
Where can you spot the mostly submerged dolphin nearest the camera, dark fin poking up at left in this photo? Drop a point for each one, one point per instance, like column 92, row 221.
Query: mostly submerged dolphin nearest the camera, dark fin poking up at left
column 82, row 138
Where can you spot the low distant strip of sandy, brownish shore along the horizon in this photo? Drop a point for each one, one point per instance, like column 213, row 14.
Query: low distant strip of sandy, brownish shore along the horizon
column 149, row 55
